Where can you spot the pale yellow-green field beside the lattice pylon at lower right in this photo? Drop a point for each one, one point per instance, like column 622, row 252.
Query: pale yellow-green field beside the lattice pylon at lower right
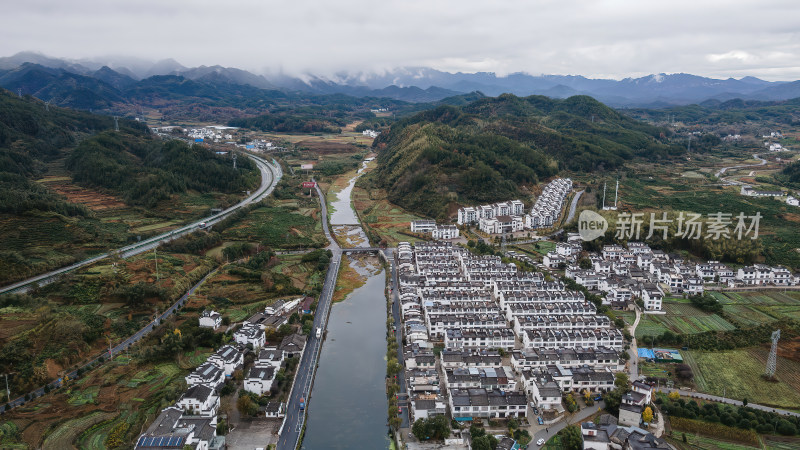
column 739, row 373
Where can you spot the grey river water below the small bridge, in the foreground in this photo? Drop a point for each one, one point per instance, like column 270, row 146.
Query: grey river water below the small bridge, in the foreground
column 348, row 404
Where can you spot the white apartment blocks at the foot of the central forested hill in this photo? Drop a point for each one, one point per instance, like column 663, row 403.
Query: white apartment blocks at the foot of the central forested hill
column 510, row 217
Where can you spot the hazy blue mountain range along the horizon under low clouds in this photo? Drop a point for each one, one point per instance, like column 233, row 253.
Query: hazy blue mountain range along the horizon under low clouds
column 417, row 84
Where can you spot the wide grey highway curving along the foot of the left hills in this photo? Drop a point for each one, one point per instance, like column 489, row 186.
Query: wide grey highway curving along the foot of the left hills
column 270, row 176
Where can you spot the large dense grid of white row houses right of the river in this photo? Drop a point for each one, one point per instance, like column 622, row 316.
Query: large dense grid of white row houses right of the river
column 477, row 308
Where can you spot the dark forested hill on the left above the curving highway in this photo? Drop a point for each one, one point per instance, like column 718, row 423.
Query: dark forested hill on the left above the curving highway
column 128, row 163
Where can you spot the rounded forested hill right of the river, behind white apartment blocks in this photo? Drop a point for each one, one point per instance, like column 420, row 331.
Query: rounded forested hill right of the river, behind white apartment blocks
column 494, row 148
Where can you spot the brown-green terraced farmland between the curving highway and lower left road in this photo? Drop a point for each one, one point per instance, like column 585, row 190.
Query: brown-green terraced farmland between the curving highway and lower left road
column 55, row 327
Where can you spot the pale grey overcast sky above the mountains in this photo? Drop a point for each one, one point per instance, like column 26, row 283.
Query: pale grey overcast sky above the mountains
column 606, row 38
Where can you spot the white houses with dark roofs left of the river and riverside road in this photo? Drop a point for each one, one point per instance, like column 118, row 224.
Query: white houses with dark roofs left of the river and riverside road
column 192, row 420
